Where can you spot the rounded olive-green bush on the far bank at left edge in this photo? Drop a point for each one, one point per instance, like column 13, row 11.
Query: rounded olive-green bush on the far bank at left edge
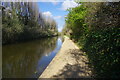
column 12, row 28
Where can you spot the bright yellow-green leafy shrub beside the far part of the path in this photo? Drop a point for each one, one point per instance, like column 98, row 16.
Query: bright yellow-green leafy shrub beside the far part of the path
column 75, row 21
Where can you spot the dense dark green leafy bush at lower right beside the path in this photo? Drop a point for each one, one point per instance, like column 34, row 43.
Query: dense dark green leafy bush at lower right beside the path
column 102, row 48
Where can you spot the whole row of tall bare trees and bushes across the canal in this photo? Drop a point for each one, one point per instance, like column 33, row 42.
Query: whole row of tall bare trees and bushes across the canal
column 23, row 21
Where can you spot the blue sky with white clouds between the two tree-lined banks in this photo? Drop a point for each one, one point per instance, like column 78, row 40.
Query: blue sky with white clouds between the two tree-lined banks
column 56, row 10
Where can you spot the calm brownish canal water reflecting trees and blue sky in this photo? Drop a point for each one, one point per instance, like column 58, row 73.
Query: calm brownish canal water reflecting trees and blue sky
column 29, row 59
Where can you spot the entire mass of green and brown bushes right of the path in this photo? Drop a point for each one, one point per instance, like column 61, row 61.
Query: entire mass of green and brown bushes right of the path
column 96, row 28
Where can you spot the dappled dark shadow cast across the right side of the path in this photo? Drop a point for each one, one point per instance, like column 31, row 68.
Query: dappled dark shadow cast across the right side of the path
column 79, row 69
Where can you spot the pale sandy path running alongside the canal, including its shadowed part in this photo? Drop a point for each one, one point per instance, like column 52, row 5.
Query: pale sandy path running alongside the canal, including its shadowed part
column 70, row 62
